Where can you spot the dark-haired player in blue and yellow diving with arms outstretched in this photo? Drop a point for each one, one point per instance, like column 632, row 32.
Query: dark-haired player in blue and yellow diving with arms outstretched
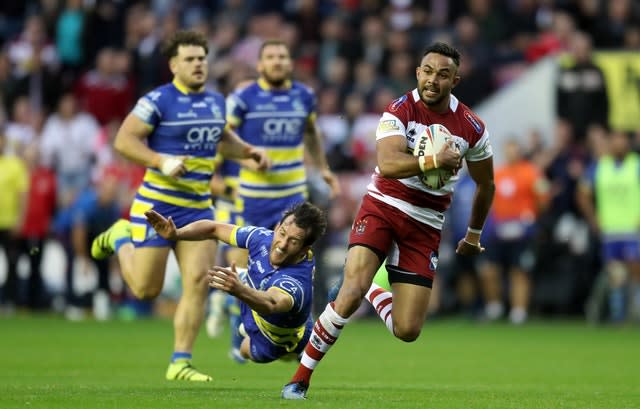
column 276, row 293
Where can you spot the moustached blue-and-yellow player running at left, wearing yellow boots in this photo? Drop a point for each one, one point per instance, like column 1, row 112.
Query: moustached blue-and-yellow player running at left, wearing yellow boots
column 184, row 127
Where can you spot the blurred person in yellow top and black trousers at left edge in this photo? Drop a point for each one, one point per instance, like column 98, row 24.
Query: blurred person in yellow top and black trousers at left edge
column 14, row 183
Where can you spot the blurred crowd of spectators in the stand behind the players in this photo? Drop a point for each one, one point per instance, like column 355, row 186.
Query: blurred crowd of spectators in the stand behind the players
column 70, row 71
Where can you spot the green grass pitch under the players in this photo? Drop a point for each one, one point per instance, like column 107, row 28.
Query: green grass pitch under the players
column 47, row 362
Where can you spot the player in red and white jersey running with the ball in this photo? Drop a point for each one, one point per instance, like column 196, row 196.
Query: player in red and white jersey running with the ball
column 400, row 219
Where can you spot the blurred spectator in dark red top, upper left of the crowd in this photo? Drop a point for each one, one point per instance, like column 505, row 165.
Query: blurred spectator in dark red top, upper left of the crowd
column 106, row 91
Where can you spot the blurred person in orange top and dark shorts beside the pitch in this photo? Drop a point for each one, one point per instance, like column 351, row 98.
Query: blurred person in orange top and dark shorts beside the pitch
column 521, row 193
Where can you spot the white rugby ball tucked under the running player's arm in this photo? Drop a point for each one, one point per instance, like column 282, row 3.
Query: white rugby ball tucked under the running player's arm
column 428, row 143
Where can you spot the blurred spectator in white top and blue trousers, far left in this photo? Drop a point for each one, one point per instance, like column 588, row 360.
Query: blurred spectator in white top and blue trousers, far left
column 67, row 141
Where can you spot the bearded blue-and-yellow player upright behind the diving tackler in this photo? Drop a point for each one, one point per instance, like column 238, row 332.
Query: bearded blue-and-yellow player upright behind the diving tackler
column 278, row 114
